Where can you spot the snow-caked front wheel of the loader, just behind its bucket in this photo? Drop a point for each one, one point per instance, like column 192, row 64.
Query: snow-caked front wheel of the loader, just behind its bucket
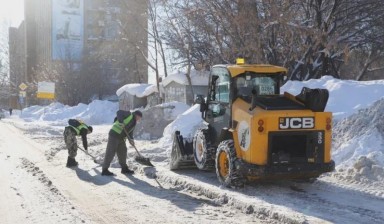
column 202, row 152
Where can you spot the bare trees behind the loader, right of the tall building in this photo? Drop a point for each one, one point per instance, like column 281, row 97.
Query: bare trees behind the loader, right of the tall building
column 312, row 38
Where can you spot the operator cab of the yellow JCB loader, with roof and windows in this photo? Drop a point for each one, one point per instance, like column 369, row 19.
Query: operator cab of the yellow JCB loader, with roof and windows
column 227, row 84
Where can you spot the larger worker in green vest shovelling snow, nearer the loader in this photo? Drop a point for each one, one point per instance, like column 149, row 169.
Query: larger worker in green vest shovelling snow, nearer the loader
column 124, row 124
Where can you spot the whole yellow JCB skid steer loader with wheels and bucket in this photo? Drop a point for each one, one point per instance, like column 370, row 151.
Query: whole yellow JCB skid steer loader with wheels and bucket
column 254, row 132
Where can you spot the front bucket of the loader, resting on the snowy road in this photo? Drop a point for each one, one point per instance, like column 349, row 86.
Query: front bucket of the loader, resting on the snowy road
column 181, row 154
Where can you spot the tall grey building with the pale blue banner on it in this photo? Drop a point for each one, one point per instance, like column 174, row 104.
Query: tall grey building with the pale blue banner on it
column 89, row 39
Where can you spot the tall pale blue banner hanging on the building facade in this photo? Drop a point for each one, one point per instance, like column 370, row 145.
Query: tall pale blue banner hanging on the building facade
column 67, row 29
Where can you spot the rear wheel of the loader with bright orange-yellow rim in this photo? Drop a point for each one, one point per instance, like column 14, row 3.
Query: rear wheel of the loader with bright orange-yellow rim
column 225, row 165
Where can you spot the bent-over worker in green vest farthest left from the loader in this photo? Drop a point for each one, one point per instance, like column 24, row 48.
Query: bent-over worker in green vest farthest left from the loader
column 75, row 128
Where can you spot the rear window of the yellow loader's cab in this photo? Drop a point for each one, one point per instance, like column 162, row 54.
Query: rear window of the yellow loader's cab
column 262, row 84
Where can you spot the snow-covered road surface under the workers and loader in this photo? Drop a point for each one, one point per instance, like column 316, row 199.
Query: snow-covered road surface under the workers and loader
column 40, row 189
